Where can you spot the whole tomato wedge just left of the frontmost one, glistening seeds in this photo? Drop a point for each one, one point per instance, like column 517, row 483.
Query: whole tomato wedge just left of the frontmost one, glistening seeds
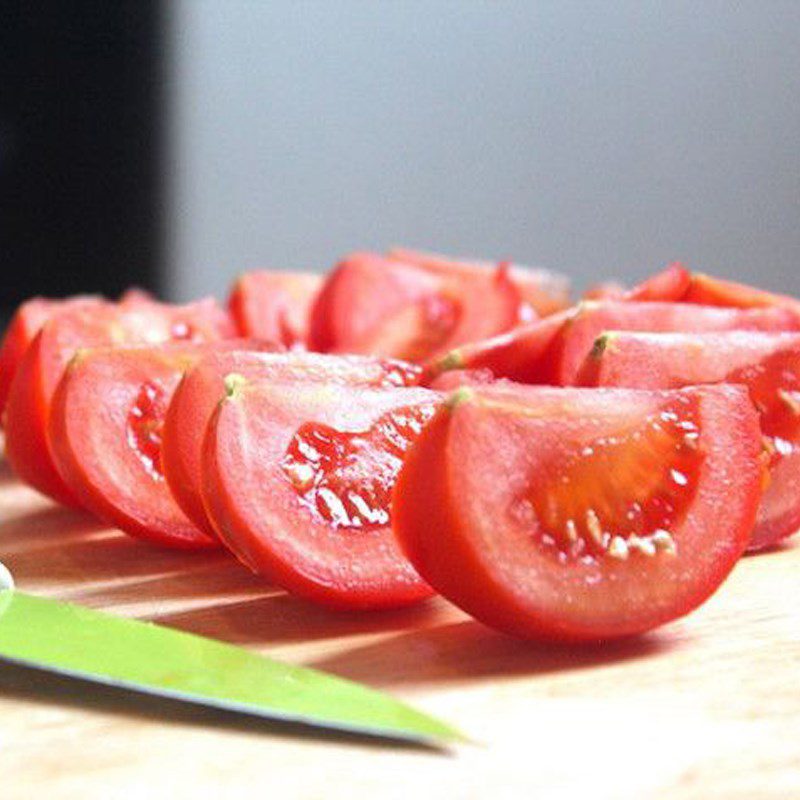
column 297, row 479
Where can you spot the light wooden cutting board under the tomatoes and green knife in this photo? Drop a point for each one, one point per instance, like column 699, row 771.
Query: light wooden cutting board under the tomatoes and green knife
column 708, row 707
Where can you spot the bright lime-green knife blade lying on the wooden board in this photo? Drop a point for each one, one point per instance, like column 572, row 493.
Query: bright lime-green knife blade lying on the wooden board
column 145, row 657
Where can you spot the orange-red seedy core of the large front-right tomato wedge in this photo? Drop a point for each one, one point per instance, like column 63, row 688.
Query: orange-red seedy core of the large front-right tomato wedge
column 621, row 495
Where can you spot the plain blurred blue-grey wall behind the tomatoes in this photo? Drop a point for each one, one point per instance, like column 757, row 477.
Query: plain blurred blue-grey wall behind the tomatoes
column 598, row 138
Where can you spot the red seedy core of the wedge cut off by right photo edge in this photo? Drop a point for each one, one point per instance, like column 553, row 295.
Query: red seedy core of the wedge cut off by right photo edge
column 775, row 391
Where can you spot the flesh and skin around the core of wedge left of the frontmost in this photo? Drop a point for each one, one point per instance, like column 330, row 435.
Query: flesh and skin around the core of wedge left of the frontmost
column 269, row 527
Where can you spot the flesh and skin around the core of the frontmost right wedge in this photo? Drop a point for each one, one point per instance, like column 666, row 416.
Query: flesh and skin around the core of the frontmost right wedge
column 451, row 519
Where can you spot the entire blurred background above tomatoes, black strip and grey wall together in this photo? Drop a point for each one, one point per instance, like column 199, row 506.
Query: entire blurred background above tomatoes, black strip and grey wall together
column 175, row 144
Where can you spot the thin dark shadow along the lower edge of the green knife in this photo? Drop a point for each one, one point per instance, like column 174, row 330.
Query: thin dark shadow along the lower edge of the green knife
column 33, row 686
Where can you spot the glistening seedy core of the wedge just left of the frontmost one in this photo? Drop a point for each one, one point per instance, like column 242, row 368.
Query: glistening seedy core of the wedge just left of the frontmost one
column 347, row 477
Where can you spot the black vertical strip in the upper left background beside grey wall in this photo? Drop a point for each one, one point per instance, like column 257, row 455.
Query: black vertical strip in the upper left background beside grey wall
column 80, row 147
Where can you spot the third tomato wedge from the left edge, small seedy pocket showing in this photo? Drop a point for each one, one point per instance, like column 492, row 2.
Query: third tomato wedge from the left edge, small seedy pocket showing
column 109, row 453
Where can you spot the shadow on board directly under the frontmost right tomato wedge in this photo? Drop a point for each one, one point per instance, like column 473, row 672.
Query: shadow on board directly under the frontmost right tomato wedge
column 467, row 650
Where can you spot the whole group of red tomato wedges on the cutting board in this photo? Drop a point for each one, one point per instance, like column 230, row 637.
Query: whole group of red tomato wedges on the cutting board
column 413, row 424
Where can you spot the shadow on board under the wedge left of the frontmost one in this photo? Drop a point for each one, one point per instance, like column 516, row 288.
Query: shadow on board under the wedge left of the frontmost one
column 281, row 618
